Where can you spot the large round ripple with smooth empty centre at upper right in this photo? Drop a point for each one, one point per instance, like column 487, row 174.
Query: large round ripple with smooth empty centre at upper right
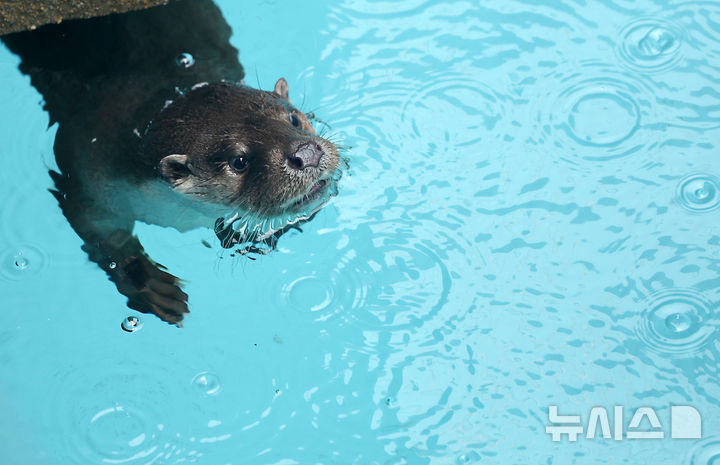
column 596, row 118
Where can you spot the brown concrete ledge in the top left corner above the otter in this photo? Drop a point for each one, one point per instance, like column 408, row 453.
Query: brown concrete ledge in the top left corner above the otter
column 20, row 15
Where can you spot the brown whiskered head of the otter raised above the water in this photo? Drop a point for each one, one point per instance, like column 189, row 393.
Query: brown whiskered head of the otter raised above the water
column 242, row 148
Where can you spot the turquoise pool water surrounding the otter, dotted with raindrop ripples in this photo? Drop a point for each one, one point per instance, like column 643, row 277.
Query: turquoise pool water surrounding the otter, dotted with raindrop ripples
column 530, row 219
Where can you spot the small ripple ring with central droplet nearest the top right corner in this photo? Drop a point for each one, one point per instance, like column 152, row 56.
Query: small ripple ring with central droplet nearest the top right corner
column 650, row 45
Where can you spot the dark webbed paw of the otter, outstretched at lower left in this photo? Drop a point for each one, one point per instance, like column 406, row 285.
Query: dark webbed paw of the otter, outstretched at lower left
column 152, row 290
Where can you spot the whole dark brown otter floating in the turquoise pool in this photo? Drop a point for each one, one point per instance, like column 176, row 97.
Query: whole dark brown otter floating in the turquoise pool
column 156, row 125
